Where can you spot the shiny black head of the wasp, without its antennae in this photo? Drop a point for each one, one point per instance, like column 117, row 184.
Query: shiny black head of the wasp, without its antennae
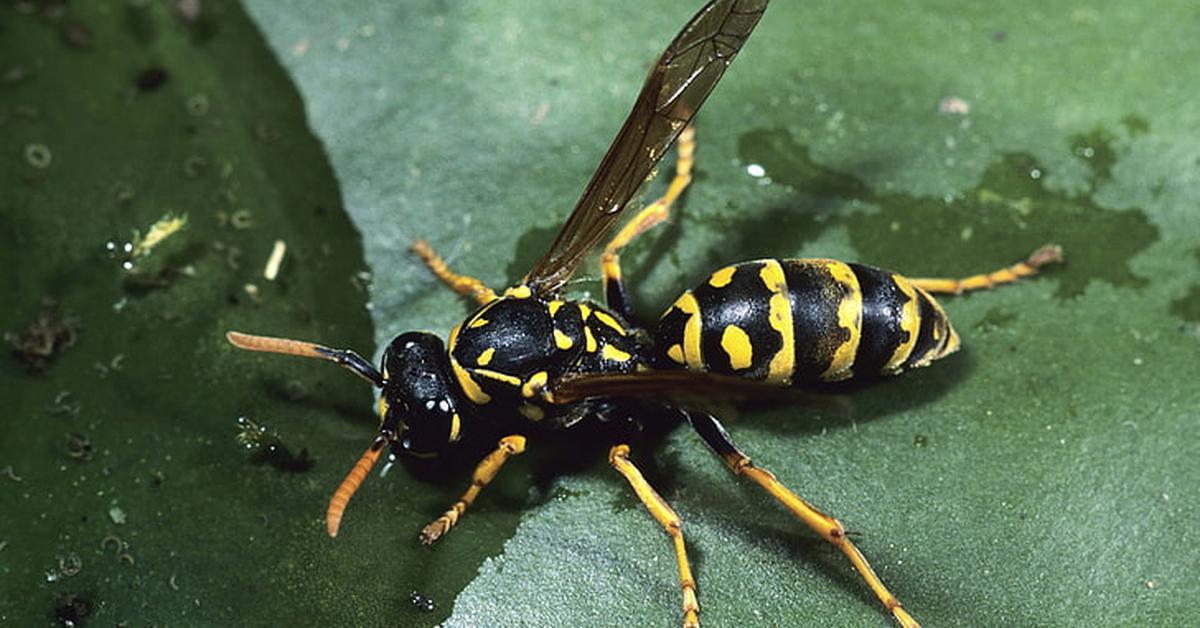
column 419, row 398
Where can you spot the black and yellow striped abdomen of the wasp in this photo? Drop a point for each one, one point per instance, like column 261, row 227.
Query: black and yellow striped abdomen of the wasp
column 802, row 321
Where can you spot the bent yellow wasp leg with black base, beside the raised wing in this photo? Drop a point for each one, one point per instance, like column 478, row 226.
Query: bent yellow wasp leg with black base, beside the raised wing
column 647, row 219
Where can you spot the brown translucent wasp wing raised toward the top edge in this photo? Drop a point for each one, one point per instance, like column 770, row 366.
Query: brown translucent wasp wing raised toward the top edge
column 681, row 81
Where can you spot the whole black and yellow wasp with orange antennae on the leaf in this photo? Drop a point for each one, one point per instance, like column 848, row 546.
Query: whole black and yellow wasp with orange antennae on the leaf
column 535, row 363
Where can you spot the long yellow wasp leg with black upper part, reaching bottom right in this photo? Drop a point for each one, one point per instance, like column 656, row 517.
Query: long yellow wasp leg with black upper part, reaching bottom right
column 829, row 528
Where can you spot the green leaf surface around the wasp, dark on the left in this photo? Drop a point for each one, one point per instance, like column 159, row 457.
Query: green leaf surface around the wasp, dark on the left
column 1045, row 476
